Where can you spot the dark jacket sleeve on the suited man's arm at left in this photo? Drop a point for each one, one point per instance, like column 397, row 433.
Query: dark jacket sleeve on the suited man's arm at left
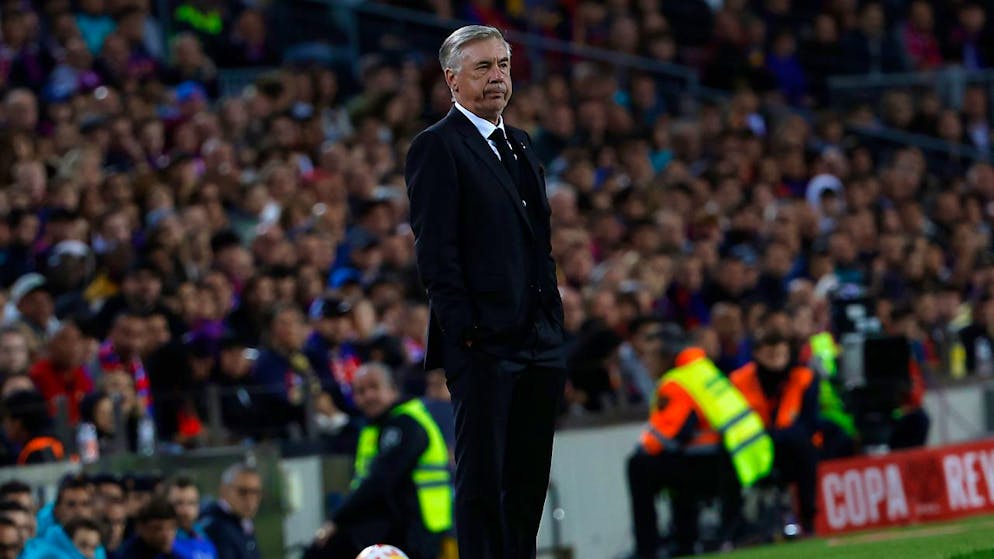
column 433, row 189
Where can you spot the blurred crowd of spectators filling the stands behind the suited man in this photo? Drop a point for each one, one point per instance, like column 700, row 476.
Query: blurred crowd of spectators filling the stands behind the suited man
column 160, row 238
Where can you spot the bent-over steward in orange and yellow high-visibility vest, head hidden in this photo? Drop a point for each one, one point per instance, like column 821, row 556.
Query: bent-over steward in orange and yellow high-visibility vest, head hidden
column 702, row 440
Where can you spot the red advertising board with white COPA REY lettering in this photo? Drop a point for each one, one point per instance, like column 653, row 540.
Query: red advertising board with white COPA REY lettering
column 923, row 485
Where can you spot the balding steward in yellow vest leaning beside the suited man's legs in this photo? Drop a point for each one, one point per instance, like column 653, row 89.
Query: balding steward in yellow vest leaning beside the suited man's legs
column 402, row 491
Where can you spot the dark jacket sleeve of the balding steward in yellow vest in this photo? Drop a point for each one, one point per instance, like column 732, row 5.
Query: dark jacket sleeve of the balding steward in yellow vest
column 402, row 442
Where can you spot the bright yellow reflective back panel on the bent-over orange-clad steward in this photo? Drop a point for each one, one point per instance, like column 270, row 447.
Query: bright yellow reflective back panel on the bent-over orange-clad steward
column 726, row 409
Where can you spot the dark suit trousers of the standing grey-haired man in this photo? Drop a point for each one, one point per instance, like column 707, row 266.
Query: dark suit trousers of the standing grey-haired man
column 505, row 414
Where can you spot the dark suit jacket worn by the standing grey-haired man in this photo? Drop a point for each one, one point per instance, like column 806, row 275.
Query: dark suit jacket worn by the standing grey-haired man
column 475, row 239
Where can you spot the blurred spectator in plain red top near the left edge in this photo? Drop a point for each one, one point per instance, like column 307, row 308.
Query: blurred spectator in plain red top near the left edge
column 61, row 374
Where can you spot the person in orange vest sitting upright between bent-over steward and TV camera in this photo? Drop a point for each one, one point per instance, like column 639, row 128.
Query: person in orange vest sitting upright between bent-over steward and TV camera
column 786, row 398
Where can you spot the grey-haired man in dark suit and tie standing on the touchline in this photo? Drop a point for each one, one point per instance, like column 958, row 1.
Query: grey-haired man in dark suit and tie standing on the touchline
column 481, row 221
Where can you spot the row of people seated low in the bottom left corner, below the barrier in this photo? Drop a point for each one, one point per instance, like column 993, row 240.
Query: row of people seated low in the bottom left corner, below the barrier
column 105, row 516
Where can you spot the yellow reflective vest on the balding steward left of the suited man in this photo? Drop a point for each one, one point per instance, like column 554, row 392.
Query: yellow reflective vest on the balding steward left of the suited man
column 431, row 475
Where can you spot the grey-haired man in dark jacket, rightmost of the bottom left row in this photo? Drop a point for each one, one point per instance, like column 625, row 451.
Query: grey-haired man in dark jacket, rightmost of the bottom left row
column 228, row 521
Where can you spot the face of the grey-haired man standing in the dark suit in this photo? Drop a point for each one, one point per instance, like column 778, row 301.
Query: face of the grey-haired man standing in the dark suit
column 482, row 83
